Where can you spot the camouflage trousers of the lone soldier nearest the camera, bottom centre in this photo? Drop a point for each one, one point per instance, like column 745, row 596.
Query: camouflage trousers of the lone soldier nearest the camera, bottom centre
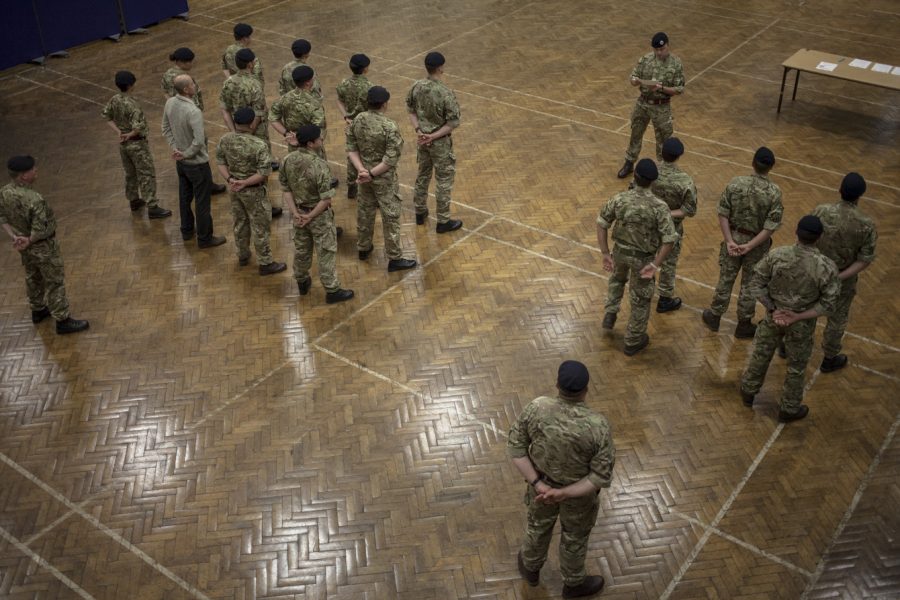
column 576, row 519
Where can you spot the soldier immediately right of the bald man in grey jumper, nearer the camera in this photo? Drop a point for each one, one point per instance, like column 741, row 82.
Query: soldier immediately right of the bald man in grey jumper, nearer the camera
column 245, row 163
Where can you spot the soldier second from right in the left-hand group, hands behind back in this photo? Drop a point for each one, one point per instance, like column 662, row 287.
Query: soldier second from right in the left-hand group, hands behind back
column 374, row 145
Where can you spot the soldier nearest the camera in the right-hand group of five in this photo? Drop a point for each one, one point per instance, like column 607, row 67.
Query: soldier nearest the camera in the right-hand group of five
column 796, row 284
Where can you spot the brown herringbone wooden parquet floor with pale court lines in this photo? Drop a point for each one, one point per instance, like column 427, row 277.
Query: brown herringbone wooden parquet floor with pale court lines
column 215, row 435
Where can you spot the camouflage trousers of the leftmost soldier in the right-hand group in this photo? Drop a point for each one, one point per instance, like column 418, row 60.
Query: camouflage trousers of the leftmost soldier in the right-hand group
column 627, row 270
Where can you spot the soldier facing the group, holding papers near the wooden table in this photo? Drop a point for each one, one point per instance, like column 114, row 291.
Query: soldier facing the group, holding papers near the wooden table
column 660, row 76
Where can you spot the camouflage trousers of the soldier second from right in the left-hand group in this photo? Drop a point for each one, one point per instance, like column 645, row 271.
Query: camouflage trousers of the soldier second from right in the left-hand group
column 382, row 193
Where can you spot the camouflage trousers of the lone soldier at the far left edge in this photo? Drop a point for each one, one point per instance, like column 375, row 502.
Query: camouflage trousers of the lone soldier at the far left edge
column 44, row 278
